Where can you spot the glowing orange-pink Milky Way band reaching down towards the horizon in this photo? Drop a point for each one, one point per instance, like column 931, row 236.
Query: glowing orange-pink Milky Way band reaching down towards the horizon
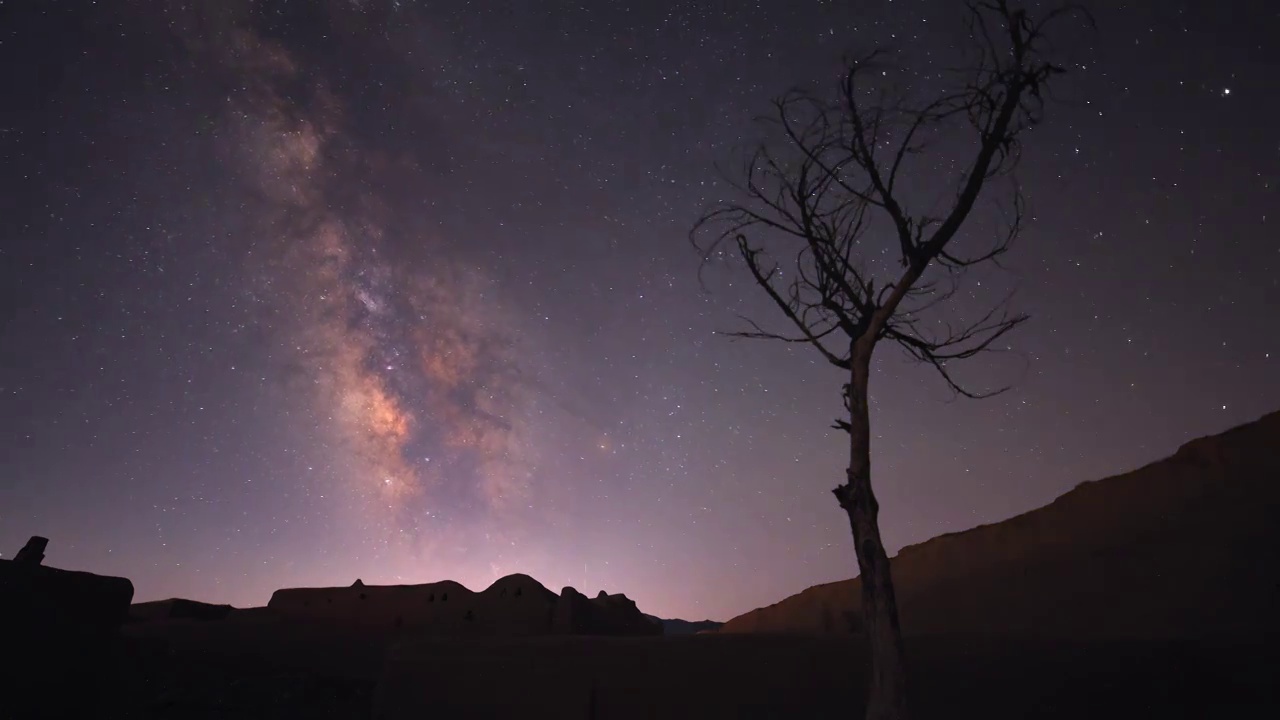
column 412, row 367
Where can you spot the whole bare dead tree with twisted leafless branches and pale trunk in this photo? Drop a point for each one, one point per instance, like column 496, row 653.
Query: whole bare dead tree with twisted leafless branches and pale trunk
column 829, row 184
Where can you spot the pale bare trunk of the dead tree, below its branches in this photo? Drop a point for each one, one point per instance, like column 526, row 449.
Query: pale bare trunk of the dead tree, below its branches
column 888, row 694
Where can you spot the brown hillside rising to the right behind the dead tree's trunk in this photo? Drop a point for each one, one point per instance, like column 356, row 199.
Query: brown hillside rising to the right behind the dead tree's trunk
column 1181, row 548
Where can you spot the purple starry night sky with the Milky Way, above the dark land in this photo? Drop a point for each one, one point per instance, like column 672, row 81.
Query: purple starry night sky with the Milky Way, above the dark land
column 294, row 294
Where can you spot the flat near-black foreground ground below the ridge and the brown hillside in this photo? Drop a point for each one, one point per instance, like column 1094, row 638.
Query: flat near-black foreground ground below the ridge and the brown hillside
column 259, row 668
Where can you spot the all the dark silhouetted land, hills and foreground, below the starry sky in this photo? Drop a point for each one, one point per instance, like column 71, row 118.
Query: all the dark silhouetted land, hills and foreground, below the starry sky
column 1149, row 594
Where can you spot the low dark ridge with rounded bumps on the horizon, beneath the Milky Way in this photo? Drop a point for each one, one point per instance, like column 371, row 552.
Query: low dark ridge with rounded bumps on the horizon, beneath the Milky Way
column 515, row 605
